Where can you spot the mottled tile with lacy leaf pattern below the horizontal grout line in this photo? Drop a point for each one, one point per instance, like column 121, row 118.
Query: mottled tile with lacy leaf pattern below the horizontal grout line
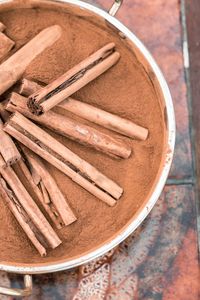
column 159, row 261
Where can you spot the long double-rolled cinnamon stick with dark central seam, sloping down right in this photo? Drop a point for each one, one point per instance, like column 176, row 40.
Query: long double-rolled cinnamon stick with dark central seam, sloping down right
column 62, row 158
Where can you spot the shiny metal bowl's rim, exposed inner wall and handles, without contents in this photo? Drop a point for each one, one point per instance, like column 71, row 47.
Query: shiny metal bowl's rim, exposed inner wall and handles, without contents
column 162, row 90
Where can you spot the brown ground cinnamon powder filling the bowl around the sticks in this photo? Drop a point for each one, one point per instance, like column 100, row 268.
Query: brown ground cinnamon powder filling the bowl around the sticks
column 125, row 90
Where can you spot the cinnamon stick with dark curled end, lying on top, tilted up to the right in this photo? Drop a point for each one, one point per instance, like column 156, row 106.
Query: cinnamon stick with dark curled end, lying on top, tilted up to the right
column 73, row 80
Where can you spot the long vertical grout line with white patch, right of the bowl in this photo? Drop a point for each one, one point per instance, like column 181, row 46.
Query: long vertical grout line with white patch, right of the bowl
column 186, row 57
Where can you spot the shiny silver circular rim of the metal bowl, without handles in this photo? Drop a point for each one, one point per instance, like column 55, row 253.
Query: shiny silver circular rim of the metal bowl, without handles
column 157, row 190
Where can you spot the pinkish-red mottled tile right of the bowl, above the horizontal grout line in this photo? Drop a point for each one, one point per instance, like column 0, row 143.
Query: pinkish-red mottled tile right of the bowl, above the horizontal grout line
column 161, row 33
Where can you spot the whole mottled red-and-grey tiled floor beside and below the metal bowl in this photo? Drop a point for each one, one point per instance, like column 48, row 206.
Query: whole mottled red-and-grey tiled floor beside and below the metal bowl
column 160, row 260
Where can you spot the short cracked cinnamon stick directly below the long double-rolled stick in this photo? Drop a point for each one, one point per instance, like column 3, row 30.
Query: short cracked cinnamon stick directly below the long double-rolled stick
column 53, row 199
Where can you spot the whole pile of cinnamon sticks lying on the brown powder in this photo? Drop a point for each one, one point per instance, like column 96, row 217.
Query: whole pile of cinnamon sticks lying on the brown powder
column 25, row 143
